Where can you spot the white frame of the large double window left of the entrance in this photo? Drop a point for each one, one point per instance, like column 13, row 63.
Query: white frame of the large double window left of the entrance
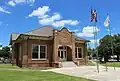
column 39, row 52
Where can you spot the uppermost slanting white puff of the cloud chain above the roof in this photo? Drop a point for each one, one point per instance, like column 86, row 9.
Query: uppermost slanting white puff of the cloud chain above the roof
column 40, row 12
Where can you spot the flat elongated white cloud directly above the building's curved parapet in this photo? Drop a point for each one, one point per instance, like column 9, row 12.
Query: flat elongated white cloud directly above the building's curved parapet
column 63, row 22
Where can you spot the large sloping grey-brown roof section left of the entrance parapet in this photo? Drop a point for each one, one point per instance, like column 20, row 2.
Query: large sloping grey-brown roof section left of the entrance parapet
column 42, row 31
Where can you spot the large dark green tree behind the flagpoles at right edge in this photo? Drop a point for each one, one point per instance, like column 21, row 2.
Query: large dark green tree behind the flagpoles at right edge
column 107, row 43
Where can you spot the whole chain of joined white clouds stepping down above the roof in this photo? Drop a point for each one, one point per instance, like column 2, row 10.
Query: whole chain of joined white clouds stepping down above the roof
column 54, row 20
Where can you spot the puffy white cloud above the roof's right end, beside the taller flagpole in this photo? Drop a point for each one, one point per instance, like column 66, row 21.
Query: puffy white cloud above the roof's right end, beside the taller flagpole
column 88, row 31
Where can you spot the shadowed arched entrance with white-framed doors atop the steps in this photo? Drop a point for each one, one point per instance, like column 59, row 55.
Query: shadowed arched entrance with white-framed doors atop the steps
column 65, row 53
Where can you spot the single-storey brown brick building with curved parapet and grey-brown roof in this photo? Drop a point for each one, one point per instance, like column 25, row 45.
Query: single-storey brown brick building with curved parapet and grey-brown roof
column 46, row 46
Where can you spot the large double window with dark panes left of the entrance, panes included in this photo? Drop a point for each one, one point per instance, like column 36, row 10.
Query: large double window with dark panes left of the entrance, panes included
column 38, row 51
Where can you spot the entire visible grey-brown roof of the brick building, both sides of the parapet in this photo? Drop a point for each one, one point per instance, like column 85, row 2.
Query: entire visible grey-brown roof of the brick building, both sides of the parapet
column 45, row 31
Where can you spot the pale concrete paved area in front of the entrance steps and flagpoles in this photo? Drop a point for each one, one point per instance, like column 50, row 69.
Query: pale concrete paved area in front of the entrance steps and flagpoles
column 90, row 72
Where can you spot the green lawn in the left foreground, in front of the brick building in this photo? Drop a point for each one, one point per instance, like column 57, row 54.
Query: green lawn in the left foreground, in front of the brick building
column 29, row 75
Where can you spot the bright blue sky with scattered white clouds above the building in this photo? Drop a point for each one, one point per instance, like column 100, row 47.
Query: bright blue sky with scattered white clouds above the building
column 23, row 15
